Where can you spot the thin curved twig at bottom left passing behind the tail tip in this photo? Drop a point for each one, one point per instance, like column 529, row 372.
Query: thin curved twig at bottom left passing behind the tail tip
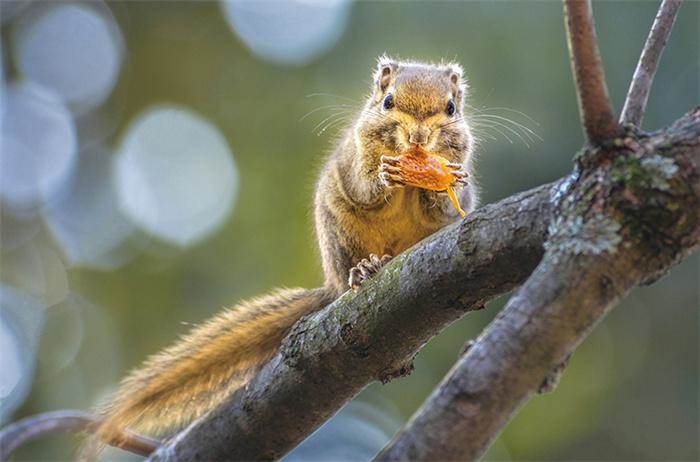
column 66, row 421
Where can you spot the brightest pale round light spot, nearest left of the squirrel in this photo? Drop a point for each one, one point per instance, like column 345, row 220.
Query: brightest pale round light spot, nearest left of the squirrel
column 174, row 175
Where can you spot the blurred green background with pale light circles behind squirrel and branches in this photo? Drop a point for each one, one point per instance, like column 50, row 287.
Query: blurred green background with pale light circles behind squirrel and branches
column 158, row 162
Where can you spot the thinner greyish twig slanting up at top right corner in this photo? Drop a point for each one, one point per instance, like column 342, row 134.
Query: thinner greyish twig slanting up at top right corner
column 638, row 94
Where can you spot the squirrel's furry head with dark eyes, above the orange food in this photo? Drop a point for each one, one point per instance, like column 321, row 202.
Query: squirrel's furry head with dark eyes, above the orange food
column 416, row 105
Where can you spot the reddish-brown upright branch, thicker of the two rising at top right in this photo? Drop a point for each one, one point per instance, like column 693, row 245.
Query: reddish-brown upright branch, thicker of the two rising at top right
column 597, row 115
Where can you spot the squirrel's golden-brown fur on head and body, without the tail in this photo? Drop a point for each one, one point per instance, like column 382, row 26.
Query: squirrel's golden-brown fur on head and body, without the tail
column 356, row 213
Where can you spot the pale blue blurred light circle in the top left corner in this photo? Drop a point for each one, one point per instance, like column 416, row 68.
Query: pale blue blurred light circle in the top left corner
column 72, row 49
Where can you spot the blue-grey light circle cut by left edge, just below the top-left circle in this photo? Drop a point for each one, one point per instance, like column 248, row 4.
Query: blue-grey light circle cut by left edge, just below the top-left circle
column 38, row 145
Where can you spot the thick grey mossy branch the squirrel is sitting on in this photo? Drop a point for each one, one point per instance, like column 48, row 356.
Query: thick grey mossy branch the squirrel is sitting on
column 373, row 334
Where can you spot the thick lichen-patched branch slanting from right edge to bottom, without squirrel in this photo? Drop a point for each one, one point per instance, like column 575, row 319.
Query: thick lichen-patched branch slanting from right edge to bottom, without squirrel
column 633, row 212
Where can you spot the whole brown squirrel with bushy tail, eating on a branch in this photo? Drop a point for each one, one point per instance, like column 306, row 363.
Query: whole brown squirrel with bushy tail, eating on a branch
column 363, row 216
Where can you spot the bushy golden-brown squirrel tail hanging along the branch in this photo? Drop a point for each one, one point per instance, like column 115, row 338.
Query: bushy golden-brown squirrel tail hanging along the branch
column 192, row 376
